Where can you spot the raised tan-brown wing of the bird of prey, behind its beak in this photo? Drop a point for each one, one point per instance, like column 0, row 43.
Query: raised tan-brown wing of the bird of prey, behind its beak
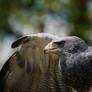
column 29, row 69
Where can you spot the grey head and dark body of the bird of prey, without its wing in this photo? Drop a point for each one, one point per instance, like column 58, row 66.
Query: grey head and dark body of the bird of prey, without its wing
column 75, row 62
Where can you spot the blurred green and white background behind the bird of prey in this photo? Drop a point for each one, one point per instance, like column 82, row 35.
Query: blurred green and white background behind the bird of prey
column 60, row 17
